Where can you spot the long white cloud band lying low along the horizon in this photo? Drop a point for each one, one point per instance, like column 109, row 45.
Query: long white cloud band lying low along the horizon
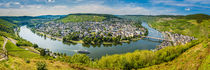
column 35, row 10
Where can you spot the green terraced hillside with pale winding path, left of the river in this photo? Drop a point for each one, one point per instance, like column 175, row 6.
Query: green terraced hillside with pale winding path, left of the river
column 23, row 56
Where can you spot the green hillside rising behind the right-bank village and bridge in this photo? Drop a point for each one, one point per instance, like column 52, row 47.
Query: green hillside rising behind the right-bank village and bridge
column 185, row 27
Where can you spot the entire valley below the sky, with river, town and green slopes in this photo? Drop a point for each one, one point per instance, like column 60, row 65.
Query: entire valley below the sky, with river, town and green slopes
column 34, row 46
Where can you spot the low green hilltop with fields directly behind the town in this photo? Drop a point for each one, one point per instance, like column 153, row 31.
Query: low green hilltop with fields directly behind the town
column 86, row 18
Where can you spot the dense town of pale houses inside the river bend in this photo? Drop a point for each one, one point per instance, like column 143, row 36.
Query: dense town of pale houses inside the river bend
column 108, row 28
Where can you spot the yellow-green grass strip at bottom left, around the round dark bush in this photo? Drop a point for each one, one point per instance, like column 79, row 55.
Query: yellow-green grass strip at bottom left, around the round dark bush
column 16, row 63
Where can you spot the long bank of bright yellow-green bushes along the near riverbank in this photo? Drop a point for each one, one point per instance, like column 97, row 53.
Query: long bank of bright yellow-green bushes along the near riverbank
column 142, row 58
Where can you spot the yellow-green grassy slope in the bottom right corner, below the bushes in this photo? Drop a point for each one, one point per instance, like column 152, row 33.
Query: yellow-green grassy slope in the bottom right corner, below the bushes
column 197, row 57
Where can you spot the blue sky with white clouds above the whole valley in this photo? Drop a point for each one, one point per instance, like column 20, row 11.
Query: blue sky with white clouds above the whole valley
column 117, row 7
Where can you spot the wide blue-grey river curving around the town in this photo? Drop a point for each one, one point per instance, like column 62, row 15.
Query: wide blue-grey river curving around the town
column 95, row 52
